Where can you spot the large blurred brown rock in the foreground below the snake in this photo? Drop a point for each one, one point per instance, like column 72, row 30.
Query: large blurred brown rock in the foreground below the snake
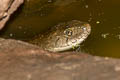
column 22, row 61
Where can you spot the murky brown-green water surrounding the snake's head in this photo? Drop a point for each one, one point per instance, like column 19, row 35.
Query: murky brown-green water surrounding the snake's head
column 36, row 16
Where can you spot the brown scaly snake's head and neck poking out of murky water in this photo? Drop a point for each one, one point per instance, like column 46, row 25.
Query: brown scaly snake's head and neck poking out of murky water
column 64, row 36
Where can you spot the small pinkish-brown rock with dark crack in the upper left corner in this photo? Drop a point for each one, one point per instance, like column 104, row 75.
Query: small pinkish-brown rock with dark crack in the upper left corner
column 7, row 7
